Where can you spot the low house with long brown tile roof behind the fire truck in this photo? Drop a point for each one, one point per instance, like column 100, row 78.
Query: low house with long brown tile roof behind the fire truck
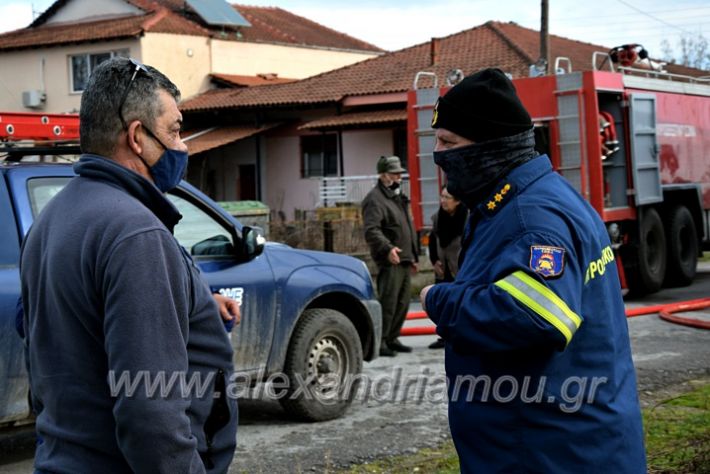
column 286, row 138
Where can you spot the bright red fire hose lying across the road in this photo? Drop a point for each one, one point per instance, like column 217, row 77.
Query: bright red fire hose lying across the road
column 664, row 311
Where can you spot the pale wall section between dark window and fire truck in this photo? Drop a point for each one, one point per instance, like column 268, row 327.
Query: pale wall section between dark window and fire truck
column 362, row 149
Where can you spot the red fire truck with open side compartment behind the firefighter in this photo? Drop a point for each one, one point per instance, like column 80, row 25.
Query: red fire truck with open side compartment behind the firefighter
column 634, row 143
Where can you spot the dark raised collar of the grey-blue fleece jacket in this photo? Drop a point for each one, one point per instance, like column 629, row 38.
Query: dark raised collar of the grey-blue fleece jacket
column 108, row 171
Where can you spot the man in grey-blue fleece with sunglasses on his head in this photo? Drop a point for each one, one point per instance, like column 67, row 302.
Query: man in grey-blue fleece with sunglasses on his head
column 113, row 304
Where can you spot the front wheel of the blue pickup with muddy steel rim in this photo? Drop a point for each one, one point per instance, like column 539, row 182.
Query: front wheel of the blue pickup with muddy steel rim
column 324, row 356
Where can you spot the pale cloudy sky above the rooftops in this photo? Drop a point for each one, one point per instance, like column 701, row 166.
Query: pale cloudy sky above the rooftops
column 396, row 24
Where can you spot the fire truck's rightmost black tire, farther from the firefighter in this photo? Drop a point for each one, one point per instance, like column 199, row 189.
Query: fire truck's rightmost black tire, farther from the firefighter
column 682, row 247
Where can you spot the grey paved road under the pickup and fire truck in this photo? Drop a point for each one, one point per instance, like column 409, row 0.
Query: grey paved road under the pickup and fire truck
column 393, row 421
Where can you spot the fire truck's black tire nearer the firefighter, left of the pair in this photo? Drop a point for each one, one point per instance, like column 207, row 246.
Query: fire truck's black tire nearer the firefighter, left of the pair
column 645, row 262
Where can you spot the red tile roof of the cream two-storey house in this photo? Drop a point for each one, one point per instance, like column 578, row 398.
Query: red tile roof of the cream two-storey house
column 269, row 25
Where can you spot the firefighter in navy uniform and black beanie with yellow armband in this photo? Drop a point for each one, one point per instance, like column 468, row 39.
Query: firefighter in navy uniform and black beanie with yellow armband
column 537, row 347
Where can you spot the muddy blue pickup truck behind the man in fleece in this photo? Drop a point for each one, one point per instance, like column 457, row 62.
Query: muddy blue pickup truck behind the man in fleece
column 310, row 316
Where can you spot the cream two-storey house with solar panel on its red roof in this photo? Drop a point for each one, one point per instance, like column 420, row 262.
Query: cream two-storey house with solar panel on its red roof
column 46, row 65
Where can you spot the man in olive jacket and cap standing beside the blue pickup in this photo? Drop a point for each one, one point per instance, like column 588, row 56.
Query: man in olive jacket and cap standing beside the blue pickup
column 391, row 238
